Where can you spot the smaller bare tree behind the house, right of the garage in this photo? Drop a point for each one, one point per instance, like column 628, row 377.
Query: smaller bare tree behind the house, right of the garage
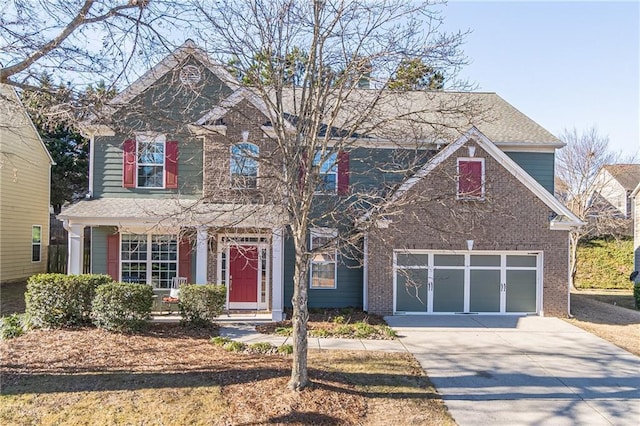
column 578, row 168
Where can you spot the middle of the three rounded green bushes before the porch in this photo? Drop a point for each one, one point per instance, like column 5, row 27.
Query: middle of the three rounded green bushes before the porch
column 122, row 306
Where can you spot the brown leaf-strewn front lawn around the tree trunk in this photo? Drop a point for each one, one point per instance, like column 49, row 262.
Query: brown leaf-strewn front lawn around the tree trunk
column 171, row 375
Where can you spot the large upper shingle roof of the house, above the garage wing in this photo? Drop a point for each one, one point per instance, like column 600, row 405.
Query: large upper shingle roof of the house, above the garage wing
column 428, row 114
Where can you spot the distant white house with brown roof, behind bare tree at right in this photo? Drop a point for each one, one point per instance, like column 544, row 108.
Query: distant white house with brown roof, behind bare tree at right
column 614, row 183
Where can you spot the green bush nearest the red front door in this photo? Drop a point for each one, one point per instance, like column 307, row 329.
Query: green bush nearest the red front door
column 201, row 304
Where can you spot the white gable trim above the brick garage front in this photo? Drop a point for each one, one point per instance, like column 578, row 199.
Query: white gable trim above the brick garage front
column 565, row 219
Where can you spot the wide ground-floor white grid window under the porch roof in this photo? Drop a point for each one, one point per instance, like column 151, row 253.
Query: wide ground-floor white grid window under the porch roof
column 149, row 259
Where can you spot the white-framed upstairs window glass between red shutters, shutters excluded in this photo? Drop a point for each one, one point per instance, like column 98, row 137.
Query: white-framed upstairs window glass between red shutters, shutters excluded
column 150, row 161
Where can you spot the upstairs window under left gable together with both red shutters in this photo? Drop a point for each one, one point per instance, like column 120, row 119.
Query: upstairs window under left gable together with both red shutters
column 150, row 162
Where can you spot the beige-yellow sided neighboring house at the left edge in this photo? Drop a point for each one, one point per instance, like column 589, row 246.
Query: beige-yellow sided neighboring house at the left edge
column 25, row 170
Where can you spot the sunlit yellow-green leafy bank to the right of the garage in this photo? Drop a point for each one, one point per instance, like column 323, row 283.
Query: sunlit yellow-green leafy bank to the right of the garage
column 605, row 263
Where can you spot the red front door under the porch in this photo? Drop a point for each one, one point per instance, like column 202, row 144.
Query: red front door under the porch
column 243, row 274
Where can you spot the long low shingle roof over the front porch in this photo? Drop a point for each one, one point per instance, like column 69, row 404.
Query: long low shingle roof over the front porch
column 171, row 212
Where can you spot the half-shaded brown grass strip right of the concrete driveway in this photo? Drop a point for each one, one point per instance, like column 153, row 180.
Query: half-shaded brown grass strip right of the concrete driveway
column 618, row 325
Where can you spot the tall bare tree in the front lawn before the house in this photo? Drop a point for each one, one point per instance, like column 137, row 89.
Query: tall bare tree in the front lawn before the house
column 349, row 49
